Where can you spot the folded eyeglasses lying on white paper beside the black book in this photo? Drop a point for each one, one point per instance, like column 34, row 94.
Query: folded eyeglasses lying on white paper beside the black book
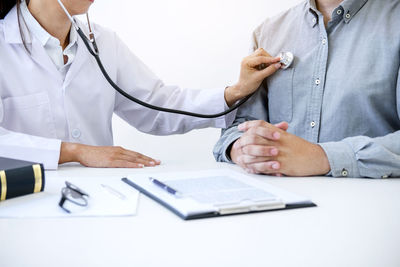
column 73, row 194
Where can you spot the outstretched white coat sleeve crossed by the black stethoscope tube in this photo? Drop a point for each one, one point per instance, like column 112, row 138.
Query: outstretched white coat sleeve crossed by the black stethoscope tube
column 137, row 79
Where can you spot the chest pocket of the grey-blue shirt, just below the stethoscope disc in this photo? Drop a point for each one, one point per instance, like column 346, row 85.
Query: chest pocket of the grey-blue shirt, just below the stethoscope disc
column 280, row 96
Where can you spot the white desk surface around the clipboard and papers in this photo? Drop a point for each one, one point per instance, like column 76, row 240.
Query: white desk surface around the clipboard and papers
column 356, row 223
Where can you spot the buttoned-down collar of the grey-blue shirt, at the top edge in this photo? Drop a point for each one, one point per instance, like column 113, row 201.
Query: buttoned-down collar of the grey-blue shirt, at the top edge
column 349, row 9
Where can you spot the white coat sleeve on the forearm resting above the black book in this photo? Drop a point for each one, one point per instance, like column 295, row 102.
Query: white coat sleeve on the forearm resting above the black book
column 27, row 147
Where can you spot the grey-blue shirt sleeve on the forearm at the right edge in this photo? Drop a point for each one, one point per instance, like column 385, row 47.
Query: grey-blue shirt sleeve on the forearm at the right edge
column 363, row 156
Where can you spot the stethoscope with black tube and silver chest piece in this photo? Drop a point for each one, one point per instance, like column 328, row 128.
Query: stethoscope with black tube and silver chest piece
column 90, row 43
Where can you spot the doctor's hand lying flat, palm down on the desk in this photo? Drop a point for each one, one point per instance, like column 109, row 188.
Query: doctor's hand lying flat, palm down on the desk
column 104, row 156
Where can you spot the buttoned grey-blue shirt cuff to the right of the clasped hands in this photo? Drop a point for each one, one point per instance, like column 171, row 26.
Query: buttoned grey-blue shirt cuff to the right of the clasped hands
column 342, row 159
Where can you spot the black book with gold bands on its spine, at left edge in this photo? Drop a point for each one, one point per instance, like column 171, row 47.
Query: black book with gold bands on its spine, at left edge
column 19, row 178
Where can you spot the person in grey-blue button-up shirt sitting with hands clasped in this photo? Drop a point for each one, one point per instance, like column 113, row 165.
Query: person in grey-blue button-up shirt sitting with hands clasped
column 340, row 97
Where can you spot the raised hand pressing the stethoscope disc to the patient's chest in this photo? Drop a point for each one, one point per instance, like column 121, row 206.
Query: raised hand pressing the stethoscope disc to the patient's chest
column 251, row 76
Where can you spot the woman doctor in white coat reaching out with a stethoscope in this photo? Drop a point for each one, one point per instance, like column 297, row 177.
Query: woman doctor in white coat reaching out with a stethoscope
column 56, row 106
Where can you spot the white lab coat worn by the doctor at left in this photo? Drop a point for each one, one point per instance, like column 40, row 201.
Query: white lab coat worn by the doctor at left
column 39, row 108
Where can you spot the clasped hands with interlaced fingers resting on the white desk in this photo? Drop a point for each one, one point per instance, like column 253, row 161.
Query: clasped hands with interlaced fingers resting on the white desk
column 268, row 149
